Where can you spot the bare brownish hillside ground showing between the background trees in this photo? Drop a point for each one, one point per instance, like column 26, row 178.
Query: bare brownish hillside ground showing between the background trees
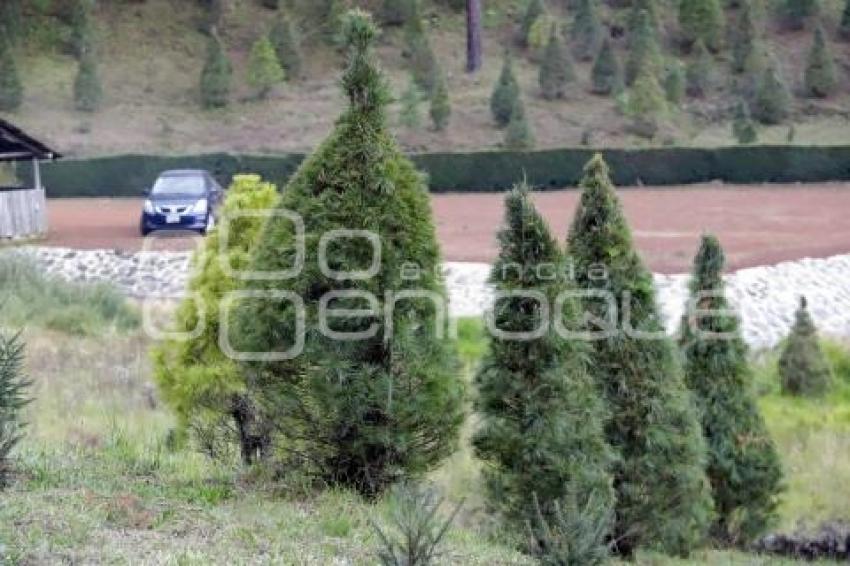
column 151, row 54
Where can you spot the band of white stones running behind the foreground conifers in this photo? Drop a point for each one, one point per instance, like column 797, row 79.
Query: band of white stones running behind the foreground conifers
column 766, row 297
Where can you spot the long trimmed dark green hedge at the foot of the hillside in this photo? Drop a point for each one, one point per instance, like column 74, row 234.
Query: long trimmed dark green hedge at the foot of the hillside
column 129, row 175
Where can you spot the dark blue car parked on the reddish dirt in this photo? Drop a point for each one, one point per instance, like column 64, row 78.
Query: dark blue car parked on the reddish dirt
column 185, row 199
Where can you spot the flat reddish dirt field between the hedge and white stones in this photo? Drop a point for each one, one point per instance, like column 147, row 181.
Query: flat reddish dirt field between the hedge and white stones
column 757, row 224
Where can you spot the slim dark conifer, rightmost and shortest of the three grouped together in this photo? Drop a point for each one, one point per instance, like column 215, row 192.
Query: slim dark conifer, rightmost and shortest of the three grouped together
column 744, row 468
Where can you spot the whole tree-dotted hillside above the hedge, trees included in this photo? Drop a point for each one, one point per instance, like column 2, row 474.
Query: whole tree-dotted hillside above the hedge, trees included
column 162, row 76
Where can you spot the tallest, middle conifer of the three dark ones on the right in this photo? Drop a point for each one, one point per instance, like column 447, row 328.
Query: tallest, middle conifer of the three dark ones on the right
column 662, row 493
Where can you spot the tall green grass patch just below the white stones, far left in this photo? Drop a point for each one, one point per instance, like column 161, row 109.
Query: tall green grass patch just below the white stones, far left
column 31, row 298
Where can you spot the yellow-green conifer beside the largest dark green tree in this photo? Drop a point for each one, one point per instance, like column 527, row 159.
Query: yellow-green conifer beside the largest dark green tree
column 205, row 388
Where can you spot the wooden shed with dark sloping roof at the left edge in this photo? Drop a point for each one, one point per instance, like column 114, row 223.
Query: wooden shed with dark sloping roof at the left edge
column 23, row 210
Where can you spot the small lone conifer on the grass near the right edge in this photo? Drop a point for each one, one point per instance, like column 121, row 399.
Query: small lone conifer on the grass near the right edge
column 803, row 368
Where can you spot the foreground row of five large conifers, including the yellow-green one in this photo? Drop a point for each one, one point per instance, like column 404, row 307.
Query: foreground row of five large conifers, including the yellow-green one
column 613, row 444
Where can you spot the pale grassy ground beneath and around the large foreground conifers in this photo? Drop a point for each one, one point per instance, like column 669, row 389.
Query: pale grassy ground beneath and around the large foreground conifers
column 98, row 481
